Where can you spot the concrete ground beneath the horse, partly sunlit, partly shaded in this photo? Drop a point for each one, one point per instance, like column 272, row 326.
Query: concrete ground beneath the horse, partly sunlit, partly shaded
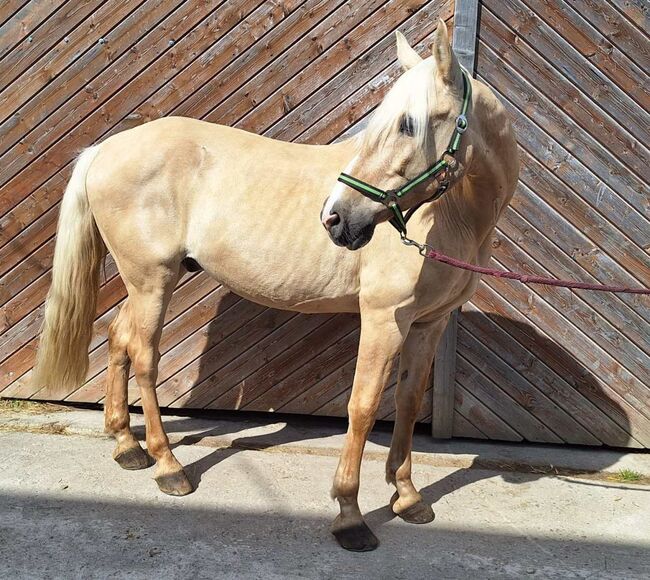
column 68, row 511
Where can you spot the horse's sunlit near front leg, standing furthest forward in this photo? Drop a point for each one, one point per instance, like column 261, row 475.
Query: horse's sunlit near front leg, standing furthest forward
column 381, row 340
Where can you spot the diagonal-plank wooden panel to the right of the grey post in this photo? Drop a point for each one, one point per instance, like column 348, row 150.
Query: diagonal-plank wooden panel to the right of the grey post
column 541, row 363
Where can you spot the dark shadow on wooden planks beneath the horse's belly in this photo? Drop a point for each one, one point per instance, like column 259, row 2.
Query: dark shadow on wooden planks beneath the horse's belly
column 261, row 359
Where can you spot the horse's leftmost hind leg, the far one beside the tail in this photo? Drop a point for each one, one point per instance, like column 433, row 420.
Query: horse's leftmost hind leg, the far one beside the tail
column 128, row 452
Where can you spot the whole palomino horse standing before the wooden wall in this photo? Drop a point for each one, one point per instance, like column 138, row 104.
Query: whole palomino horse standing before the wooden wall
column 179, row 192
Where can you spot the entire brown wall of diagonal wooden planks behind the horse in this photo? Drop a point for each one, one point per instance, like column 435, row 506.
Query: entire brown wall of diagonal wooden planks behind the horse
column 536, row 364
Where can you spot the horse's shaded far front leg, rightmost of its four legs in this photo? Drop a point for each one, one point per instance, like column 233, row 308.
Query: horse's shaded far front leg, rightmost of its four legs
column 415, row 366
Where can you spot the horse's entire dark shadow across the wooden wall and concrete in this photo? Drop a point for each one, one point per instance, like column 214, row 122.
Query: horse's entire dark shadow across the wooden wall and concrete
column 551, row 397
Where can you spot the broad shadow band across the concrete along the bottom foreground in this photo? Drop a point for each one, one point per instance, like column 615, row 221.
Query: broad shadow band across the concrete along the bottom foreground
column 58, row 536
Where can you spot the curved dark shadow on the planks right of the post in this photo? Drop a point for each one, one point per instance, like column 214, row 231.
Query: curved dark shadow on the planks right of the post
column 527, row 383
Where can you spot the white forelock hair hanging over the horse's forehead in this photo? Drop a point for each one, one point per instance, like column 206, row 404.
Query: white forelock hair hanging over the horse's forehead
column 413, row 94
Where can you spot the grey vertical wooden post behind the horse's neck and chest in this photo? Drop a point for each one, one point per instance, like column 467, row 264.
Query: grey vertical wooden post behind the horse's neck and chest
column 444, row 369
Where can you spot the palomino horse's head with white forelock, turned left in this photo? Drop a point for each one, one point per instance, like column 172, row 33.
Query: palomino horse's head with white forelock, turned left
column 410, row 129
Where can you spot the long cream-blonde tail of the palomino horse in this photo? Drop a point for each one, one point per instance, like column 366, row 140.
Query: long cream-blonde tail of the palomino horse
column 62, row 359
